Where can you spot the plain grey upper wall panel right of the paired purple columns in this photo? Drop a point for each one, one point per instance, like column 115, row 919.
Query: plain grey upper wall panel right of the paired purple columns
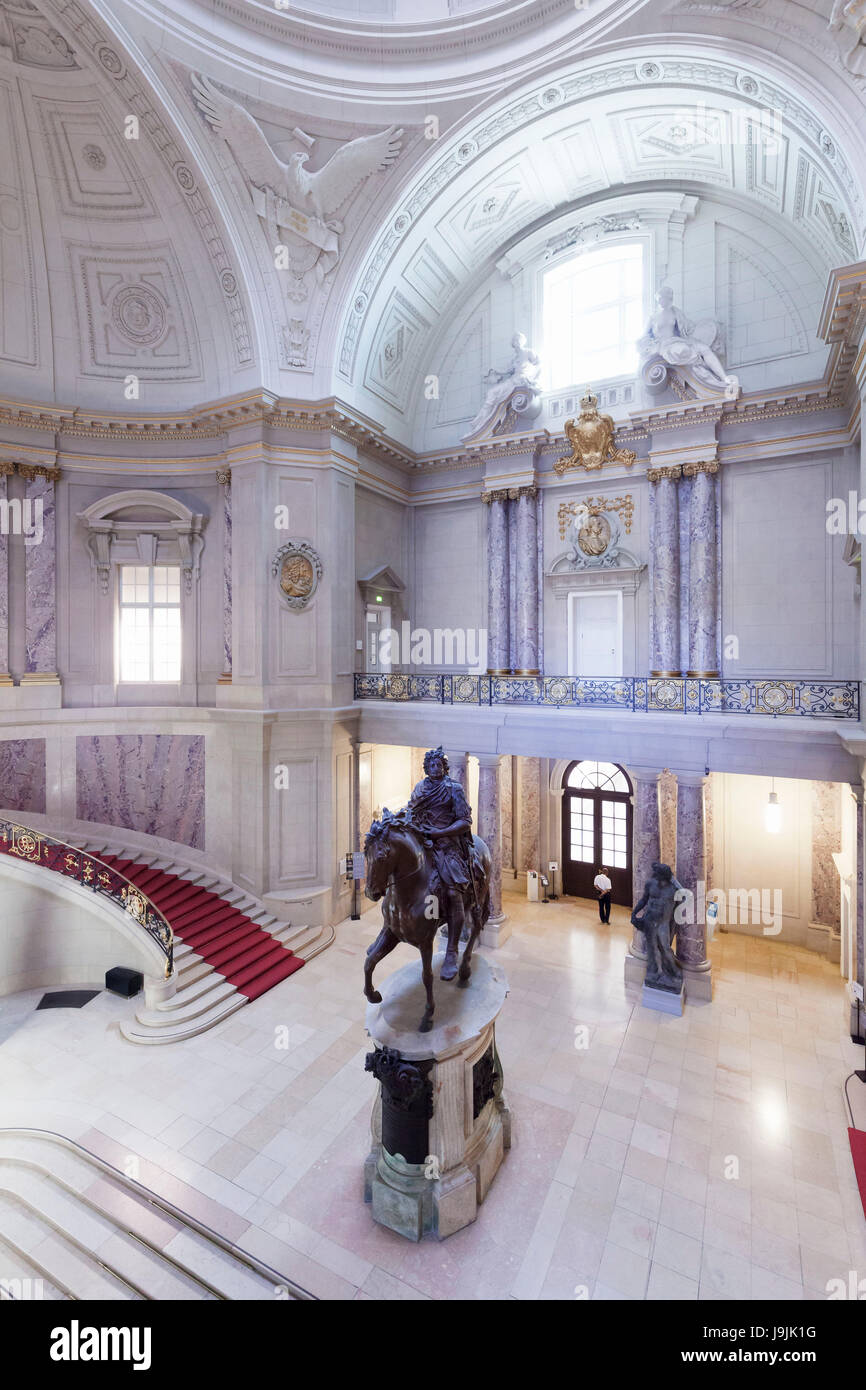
column 785, row 583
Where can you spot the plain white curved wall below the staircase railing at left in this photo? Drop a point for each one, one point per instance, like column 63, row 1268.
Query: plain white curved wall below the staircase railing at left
column 54, row 939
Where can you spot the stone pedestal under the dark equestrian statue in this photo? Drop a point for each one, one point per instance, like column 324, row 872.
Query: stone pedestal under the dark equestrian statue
column 440, row 1121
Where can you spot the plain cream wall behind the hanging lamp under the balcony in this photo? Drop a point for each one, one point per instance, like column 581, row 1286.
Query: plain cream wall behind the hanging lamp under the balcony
column 749, row 857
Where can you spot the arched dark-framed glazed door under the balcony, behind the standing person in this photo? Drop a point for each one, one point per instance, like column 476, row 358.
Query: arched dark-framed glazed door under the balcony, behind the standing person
column 597, row 829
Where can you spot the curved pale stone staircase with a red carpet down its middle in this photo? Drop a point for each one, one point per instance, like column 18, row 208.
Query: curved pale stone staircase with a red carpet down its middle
column 229, row 949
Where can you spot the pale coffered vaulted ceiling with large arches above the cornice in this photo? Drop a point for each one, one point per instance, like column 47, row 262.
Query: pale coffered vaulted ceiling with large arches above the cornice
column 154, row 258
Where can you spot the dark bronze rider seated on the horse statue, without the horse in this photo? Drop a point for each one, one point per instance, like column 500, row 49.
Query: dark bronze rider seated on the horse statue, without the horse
column 440, row 810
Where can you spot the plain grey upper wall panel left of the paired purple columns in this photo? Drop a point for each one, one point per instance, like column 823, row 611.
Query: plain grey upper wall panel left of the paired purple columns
column 450, row 571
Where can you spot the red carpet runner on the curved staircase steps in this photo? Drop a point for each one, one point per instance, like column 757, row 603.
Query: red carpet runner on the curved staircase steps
column 226, row 939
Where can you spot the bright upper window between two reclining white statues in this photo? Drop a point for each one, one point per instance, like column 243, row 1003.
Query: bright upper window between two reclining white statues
column 594, row 316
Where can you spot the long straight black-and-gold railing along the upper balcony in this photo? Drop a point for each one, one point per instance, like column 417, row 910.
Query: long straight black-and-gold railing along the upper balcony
column 639, row 694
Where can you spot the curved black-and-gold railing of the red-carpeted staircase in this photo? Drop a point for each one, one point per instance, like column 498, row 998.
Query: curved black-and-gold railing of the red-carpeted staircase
column 38, row 849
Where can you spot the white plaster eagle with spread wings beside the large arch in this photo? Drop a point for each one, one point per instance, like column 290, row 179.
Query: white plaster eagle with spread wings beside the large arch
column 287, row 197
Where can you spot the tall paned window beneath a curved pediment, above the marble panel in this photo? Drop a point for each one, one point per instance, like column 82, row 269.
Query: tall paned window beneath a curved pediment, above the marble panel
column 151, row 623
